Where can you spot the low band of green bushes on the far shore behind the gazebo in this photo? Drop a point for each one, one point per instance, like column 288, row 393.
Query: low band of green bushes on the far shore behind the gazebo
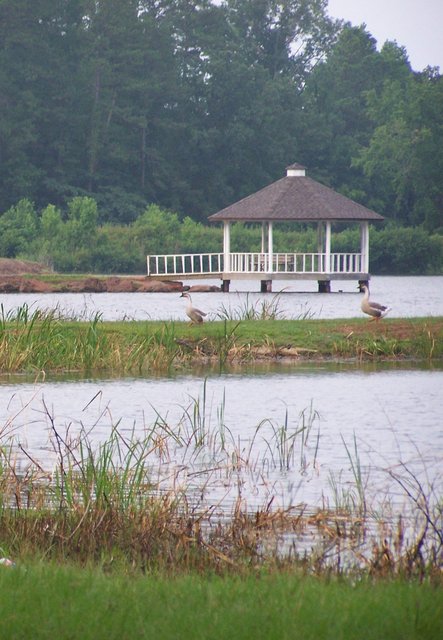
column 76, row 242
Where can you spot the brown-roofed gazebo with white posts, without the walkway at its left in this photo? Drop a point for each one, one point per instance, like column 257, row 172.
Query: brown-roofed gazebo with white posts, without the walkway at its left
column 297, row 198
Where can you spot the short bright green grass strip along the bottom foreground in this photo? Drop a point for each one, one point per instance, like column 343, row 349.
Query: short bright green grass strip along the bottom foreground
column 56, row 601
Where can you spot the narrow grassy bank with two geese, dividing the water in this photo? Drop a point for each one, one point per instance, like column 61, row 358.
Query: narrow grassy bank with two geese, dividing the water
column 44, row 341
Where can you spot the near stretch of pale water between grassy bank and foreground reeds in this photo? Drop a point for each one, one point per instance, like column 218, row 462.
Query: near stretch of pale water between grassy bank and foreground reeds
column 386, row 418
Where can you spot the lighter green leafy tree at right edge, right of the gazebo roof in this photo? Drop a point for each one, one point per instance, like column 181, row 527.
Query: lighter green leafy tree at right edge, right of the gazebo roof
column 403, row 160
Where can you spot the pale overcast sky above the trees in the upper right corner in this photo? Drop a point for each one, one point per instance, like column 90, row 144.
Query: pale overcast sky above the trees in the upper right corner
column 416, row 25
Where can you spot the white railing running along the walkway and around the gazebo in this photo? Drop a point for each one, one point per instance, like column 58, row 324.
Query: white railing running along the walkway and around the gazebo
column 213, row 263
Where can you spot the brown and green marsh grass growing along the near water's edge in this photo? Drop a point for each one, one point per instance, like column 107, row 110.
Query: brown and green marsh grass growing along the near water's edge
column 145, row 501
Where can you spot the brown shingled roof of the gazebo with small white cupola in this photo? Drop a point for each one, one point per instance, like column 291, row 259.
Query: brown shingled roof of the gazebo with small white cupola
column 295, row 197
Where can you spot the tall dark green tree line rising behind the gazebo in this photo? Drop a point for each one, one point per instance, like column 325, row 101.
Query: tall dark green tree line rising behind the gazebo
column 190, row 105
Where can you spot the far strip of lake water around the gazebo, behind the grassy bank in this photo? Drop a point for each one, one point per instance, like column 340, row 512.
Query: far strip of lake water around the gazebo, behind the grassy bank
column 407, row 296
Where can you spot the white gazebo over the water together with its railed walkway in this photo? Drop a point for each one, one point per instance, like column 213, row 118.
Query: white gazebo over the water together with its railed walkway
column 293, row 198
